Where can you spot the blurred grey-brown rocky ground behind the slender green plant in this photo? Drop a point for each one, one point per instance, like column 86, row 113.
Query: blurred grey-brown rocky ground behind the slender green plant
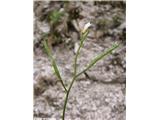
column 99, row 95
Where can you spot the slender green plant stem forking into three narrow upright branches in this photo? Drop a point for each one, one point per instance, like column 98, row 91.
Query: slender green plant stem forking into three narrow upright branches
column 75, row 75
